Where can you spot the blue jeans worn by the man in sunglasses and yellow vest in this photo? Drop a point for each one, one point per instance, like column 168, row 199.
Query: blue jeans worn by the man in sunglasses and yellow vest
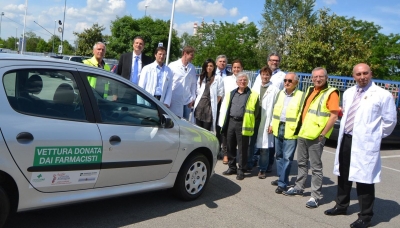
column 284, row 149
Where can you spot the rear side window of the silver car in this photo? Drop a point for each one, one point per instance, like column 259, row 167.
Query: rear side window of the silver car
column 47, row 93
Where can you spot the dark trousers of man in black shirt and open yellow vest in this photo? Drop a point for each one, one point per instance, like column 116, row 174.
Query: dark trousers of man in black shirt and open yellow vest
column 235, row 138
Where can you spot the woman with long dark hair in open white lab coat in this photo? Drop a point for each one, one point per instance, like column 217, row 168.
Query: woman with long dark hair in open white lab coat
column 210, row 90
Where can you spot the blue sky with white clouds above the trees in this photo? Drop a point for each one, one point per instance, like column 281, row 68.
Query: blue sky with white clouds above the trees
column 81, row 14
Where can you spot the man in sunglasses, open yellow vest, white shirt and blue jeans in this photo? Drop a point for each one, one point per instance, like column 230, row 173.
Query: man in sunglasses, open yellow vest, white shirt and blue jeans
column 285, row 118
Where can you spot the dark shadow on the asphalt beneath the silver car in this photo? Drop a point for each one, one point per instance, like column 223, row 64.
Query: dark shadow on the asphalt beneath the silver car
column 122, row 211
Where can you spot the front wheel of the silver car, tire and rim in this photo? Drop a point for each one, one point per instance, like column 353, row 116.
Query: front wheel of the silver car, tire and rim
column 192, row 177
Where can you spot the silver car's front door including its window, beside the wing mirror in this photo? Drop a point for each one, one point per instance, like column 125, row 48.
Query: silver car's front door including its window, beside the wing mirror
column 135, row 146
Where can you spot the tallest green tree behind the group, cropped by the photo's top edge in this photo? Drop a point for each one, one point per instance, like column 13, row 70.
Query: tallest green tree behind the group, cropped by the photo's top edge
column 281, row 19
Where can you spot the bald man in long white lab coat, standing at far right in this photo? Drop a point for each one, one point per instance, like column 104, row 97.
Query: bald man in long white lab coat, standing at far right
column 369, row 114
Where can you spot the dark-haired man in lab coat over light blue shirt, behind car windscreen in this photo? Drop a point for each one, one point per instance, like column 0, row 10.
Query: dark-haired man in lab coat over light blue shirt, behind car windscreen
column 156, row 78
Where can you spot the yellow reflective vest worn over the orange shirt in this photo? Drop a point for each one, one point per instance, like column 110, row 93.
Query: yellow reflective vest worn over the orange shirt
column 317, row 115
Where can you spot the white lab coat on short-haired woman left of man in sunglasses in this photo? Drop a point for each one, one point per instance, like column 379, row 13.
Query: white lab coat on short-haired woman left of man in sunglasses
column 265, row 140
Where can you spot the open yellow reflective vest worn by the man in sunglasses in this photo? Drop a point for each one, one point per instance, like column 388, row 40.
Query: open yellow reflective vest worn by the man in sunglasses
column 292, row 114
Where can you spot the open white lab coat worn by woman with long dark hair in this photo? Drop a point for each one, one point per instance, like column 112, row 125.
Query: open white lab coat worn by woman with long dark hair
column 216, row 90
